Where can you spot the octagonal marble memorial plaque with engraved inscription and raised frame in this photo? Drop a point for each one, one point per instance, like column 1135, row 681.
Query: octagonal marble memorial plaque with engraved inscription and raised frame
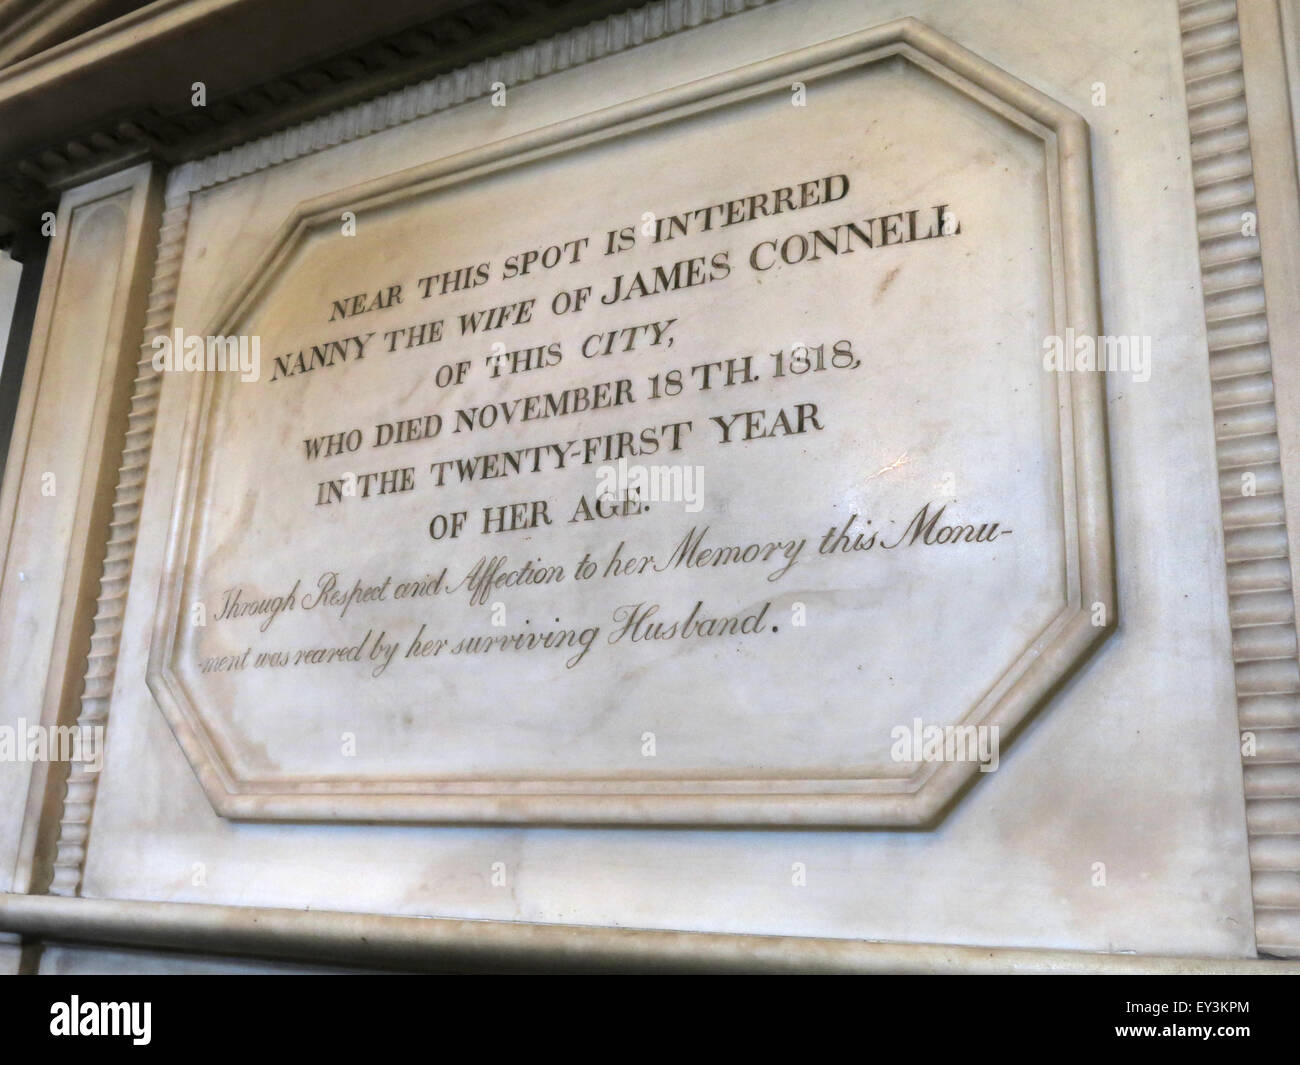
column 684, row 464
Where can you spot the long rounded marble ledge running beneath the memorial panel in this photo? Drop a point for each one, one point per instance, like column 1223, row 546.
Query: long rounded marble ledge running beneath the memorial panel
column 445, row 945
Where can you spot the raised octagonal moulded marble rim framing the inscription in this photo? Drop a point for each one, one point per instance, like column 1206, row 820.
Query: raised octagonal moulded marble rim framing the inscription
column 1051, row 656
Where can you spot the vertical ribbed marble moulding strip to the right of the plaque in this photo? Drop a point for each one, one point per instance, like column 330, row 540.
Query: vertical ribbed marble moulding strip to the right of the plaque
column 1262, row 604
